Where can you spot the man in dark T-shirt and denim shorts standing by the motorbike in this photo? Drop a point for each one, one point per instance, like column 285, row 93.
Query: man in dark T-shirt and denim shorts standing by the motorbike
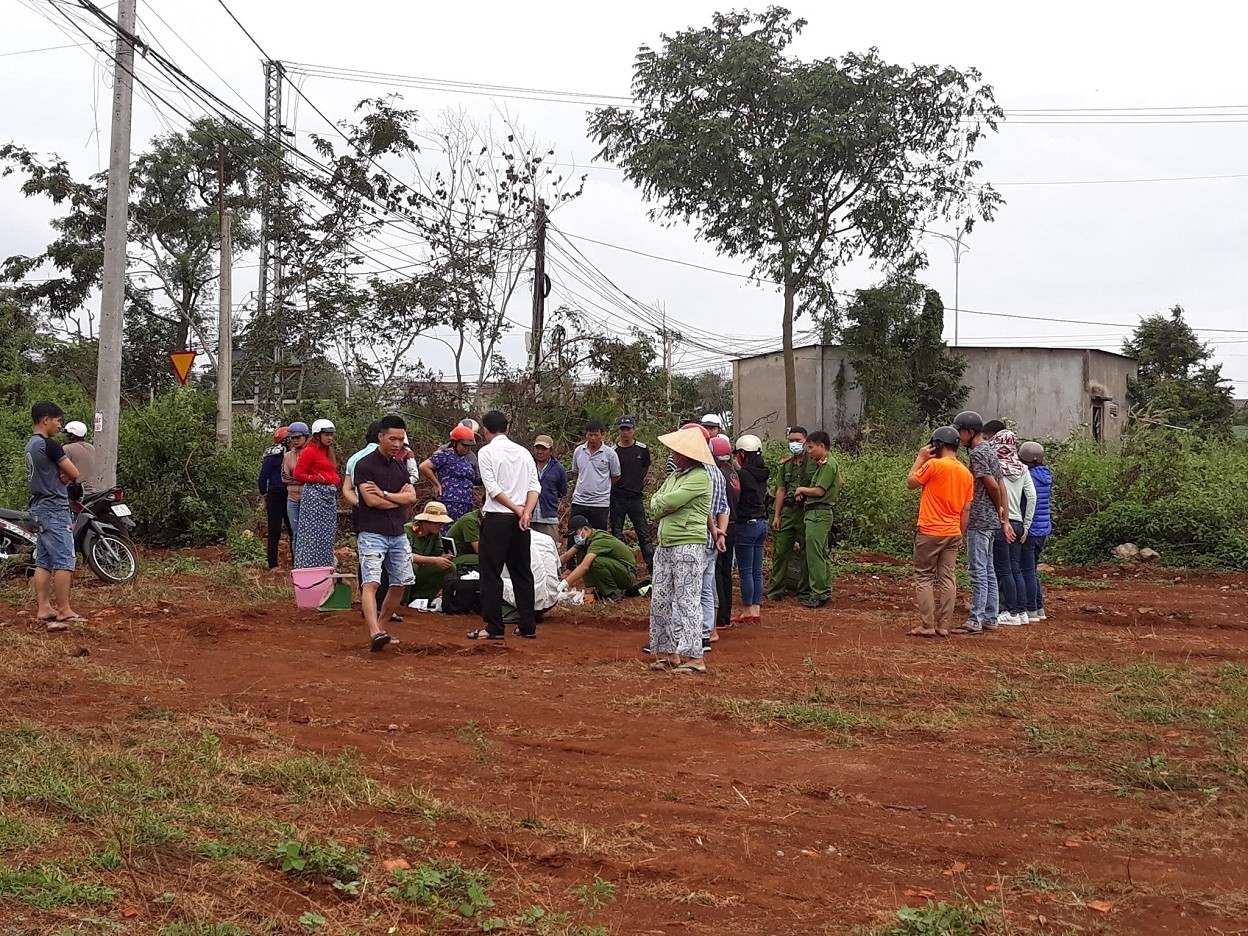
column 49, row 471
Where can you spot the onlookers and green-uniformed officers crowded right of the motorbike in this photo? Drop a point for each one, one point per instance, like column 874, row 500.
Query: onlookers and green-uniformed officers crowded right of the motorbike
column 713, row 514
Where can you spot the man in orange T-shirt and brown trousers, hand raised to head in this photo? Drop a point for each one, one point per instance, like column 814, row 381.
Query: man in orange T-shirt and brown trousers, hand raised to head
column 944, row 512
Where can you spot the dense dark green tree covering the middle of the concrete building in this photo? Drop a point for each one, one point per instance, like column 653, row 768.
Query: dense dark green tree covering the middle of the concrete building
column 907, row 374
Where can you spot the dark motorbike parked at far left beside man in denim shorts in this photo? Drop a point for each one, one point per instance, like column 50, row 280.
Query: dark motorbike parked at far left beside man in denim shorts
column 102, row 535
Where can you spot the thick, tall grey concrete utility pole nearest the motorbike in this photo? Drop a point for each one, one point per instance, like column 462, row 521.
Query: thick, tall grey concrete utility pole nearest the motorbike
column 108, row 385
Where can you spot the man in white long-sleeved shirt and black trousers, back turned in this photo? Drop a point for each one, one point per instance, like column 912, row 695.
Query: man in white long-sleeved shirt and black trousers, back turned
column 511, row 480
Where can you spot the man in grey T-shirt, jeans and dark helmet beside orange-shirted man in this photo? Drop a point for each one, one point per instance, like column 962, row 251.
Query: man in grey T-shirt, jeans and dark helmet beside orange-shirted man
column 989, row 515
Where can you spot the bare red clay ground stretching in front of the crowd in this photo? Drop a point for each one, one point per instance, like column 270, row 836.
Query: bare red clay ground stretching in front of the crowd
column 712, row 819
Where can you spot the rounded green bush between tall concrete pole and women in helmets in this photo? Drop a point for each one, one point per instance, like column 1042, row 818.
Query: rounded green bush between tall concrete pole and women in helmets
column 184, row 490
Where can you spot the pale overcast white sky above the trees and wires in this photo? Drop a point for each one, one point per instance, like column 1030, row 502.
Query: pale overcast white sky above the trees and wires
column 1104, row 102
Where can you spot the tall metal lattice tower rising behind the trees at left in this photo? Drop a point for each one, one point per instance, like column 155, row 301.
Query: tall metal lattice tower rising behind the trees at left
column 269, row 310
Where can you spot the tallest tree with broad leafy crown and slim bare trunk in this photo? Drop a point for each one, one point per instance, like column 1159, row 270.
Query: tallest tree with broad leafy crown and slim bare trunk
column 797, row 167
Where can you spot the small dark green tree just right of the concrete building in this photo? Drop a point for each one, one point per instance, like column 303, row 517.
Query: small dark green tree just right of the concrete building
column 1175, row 381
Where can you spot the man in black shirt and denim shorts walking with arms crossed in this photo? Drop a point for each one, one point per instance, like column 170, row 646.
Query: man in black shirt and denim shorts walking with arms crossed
column 385, row 494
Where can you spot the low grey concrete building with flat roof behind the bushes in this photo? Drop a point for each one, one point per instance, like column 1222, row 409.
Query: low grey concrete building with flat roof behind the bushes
column 1049, row 394
